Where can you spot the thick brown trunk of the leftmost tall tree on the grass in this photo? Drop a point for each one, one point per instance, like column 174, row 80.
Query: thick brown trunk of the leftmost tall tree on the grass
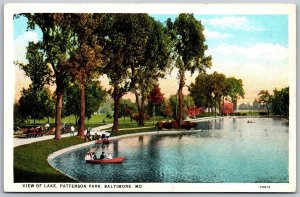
column 59, row 97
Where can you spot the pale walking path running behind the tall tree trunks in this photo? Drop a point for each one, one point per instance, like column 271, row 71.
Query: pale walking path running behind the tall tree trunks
column 22, row 141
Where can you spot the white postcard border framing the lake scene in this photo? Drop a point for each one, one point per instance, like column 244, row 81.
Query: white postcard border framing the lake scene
column 11, row 9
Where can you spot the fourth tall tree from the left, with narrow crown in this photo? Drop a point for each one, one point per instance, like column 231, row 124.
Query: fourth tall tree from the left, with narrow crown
column 153, row 66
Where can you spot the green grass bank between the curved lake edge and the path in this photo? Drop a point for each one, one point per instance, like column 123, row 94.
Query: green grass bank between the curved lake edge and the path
column 30, row 161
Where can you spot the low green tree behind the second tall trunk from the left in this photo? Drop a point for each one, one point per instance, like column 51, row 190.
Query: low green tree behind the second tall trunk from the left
column 94, row 97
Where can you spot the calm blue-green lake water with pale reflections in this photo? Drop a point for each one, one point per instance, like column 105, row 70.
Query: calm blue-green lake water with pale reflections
column 227, row 150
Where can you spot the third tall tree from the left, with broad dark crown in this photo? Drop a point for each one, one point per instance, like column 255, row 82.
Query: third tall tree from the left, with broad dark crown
column 124, row 46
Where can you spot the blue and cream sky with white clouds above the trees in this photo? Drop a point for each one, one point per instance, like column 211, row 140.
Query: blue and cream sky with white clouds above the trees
column 253, row 48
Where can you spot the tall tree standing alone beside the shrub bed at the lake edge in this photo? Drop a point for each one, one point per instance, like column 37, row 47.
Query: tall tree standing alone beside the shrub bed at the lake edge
column 188, row 50
